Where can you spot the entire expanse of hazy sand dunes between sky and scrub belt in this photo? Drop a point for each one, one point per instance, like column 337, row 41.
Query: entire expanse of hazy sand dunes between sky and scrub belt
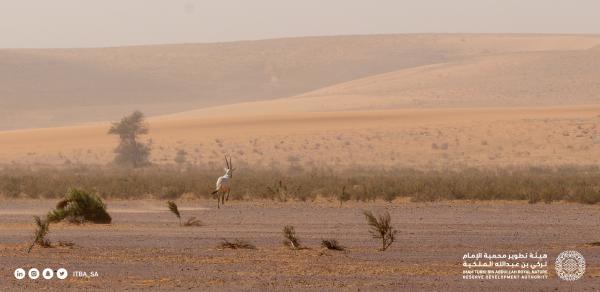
column 414, row 100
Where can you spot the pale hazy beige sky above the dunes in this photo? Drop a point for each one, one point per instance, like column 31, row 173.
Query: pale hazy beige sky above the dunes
column 87, row 23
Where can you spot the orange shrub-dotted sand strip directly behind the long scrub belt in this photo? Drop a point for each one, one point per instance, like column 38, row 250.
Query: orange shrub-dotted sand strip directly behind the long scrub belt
column 423, row 138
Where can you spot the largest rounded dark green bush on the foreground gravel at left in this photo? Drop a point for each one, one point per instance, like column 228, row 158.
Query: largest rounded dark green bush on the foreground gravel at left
column 79, row 206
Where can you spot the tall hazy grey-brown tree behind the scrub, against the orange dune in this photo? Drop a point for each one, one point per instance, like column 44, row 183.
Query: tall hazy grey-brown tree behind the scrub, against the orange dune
column 130, row 151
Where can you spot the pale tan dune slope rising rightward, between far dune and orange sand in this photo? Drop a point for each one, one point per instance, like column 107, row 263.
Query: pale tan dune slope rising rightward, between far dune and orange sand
column 518, row 79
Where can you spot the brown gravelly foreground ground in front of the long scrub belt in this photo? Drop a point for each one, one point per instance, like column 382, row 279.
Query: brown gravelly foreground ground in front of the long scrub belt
column 144, row 248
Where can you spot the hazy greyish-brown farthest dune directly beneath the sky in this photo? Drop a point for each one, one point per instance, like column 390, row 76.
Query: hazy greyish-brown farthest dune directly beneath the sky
column 43, row 88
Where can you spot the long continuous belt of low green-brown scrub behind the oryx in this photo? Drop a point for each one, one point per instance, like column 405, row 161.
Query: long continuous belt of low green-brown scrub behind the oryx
column 568, row 183
